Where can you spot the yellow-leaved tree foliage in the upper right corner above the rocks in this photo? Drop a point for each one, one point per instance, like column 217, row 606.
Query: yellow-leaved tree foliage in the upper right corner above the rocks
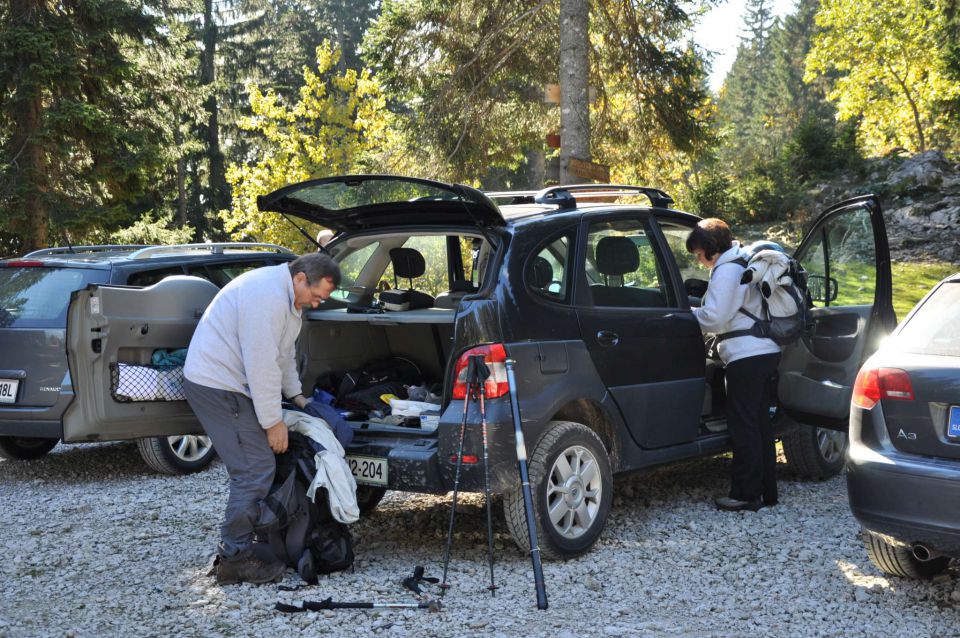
column 890, row 75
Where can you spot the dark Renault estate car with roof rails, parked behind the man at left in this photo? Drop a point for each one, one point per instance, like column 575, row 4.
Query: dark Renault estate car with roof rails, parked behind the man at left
column 36, row 391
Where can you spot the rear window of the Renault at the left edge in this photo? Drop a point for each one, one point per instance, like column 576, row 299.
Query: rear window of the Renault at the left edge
column 37, row 297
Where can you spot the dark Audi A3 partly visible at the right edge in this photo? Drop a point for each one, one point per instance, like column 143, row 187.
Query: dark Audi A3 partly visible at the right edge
column 904, row 457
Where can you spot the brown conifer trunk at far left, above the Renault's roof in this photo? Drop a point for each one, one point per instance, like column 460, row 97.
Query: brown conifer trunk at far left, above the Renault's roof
column 26, row 153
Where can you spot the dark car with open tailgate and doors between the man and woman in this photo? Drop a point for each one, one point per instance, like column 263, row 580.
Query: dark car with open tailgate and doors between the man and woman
column 592, row 301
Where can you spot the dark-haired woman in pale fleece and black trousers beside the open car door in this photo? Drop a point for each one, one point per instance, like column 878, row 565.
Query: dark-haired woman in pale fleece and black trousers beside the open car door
column 750, row 363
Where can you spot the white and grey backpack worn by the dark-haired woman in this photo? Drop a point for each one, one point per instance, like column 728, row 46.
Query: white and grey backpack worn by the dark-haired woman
column 781, row 282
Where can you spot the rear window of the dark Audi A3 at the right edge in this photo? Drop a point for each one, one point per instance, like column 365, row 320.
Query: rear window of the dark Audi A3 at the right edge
column 935, row 327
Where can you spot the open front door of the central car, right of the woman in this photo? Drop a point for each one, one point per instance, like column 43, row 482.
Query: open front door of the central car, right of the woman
column 847, row 259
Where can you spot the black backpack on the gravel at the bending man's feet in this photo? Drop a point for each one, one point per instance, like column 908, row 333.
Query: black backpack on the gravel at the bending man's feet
column 300, row 532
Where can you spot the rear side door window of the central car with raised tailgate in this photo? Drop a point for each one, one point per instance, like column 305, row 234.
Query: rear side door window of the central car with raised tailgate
column 621, row 266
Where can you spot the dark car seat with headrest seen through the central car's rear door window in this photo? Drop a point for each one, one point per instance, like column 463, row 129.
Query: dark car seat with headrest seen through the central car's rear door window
column 615, row 257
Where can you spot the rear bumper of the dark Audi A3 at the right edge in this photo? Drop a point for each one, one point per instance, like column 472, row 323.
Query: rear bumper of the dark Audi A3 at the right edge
column 910, row 499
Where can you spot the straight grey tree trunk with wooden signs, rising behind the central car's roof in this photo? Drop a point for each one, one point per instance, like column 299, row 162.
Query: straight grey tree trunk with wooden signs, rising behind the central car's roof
column 574, row 78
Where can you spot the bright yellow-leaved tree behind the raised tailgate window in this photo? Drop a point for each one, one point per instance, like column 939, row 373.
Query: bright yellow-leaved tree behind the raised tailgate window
column 339, row 125
